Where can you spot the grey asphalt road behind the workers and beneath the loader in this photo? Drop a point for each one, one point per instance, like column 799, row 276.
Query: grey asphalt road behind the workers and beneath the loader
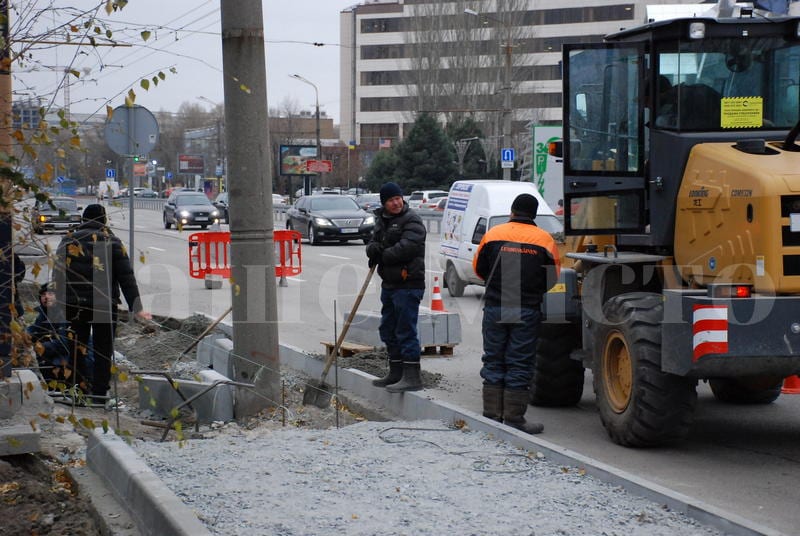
column 741, row 459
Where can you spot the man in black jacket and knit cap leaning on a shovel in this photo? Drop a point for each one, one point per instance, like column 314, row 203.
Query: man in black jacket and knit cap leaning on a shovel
column 397, row 247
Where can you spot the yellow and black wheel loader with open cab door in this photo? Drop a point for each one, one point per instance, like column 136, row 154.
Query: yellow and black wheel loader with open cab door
column 682, row 209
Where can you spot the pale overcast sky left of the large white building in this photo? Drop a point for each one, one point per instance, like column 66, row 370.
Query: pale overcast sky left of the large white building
column 185, row 34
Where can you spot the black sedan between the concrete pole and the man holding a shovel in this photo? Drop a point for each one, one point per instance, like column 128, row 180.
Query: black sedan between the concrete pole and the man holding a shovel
column 330, row 217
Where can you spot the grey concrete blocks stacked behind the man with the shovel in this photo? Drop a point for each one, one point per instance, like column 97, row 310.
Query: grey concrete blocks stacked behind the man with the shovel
column 434, row 328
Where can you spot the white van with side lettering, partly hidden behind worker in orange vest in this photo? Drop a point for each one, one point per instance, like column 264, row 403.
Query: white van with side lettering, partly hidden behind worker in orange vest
column 473, row 207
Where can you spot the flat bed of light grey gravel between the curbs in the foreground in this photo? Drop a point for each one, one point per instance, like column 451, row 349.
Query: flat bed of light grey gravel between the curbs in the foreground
column 418, row 478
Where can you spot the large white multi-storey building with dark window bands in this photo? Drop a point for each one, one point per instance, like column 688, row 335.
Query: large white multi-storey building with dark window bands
column 482, row 59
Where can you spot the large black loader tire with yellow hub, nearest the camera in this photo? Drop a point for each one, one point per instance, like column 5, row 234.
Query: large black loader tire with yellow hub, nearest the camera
column 640, row 406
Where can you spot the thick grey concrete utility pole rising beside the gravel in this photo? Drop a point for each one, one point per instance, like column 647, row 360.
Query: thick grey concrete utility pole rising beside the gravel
column 255, row 312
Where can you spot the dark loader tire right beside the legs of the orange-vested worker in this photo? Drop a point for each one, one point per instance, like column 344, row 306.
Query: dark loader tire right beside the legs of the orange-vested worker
column 557, row 379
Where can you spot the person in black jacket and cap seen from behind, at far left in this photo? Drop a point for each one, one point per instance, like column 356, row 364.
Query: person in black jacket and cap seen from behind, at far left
column 91, row 269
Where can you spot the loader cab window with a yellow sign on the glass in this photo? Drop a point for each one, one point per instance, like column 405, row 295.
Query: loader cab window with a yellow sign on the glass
column 722, row 84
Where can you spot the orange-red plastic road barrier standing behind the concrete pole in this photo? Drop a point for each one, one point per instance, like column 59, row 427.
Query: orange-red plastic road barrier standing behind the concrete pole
column 210, row 254
